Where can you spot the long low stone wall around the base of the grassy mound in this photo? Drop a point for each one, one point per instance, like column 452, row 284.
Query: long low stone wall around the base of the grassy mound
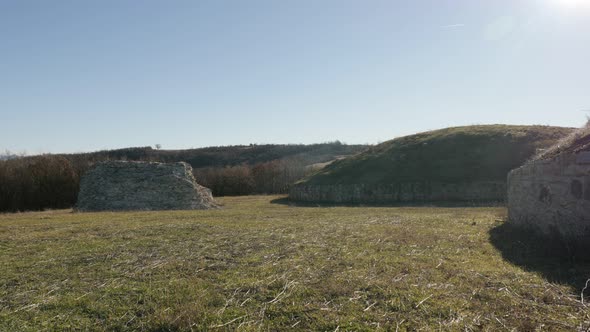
column 401, row 192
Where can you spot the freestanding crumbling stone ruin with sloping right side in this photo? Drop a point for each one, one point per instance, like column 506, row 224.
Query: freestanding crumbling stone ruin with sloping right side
column 130, row 185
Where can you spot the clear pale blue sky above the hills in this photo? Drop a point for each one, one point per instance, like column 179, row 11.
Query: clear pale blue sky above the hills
column 89, row 75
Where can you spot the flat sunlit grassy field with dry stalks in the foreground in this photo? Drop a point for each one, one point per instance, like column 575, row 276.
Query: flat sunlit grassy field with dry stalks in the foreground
column 259, row 265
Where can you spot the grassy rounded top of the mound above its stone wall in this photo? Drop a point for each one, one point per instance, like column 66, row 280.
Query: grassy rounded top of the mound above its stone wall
column 458, row 154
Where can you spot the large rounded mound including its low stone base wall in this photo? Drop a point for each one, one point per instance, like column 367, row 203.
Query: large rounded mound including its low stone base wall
column 426, row 161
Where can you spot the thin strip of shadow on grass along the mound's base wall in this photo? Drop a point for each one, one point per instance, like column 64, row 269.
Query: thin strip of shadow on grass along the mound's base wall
column 287, row 201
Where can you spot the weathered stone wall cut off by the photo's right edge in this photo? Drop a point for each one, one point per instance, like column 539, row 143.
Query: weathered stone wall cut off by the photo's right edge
column 552, row 196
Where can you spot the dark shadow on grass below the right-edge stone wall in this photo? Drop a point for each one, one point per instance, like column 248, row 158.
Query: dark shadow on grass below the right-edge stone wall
column 552, row 257
